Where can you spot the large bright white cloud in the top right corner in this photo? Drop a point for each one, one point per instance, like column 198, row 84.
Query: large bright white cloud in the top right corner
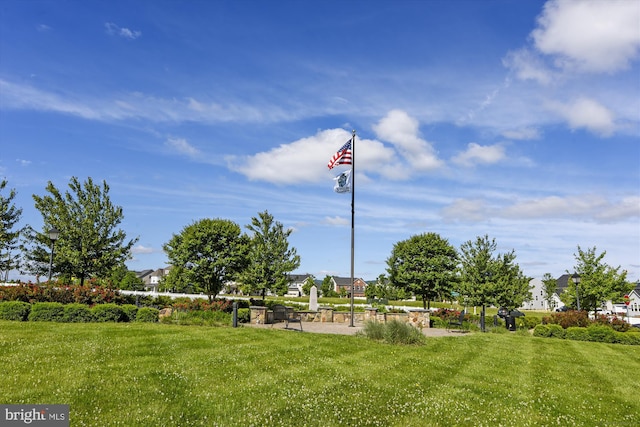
column 594, row 36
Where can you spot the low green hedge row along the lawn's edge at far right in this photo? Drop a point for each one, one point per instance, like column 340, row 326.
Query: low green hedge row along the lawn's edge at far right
column 595, row 333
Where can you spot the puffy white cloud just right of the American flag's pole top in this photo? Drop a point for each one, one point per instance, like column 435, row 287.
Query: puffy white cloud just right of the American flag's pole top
column 402, row 131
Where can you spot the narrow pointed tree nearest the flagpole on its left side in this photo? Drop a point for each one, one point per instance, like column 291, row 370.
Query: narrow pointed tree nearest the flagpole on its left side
column 270, row 258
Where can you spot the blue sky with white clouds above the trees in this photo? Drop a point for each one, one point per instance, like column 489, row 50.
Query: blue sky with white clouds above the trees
column 520, row 120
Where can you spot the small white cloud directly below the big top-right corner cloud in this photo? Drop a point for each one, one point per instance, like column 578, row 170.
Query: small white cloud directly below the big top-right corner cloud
column 586, row 113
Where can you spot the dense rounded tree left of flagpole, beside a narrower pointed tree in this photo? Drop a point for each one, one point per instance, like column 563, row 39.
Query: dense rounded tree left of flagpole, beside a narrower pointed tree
column 207, row 253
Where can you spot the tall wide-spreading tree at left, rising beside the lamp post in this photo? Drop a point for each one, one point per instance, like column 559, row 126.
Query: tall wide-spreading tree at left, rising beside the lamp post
column 90, row 244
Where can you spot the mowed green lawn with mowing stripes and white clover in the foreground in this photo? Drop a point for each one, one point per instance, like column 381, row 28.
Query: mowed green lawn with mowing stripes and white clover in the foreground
column 165, row 375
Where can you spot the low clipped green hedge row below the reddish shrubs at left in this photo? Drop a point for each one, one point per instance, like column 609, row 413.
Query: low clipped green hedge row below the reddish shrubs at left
column 76, row 313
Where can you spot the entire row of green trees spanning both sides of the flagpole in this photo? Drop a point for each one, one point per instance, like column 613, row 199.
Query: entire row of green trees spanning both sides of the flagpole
column 211, row 252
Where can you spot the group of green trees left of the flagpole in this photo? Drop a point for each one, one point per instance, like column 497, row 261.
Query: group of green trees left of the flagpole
column 204, row 255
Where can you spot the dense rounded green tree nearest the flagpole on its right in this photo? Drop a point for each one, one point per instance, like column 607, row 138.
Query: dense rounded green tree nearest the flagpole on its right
column 424, row 264
